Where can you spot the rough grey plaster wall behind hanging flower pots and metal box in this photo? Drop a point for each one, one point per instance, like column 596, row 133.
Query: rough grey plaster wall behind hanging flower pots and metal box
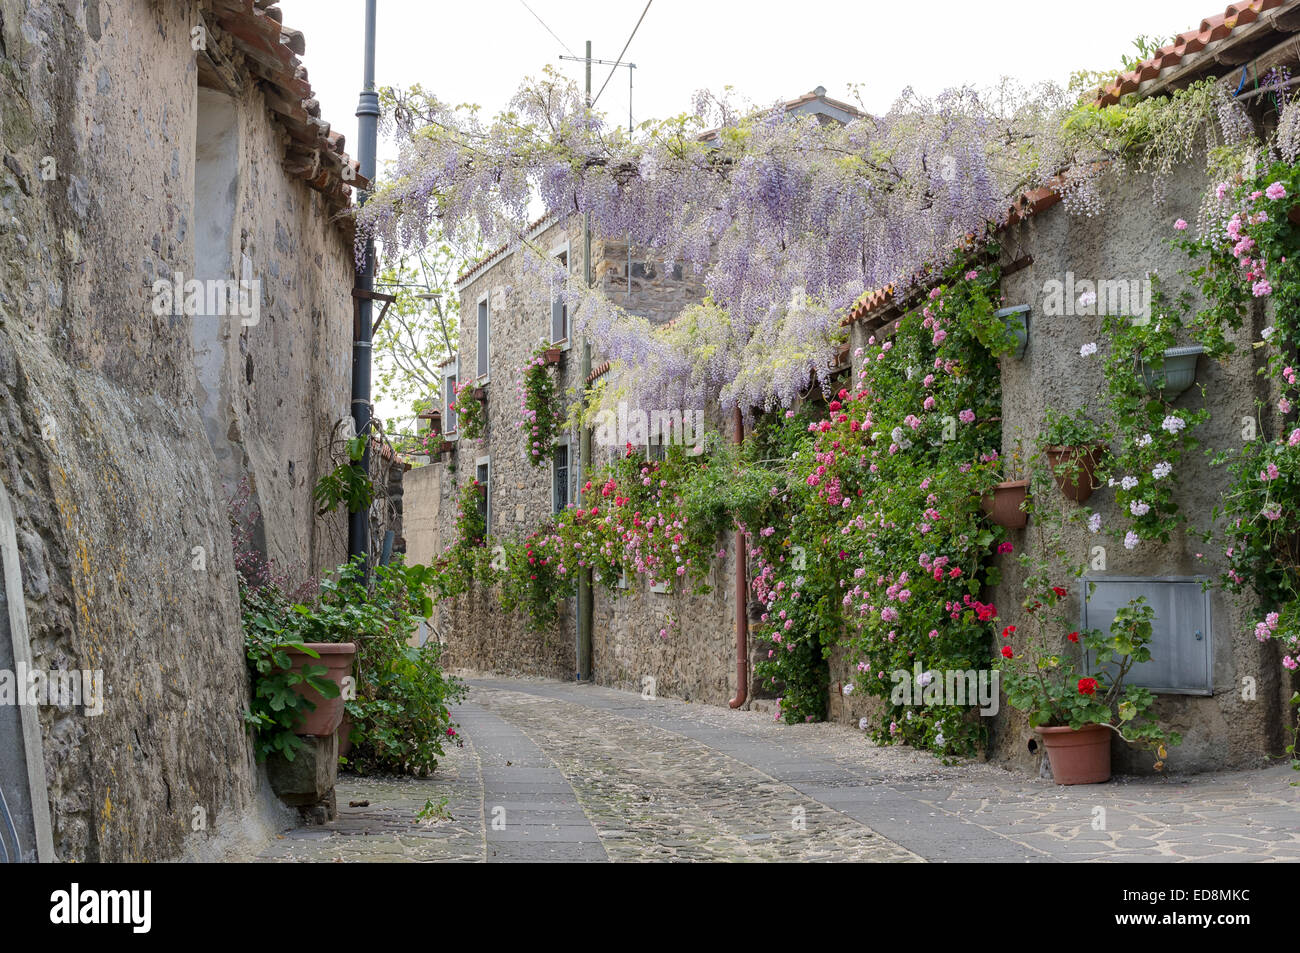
column 1130, row 240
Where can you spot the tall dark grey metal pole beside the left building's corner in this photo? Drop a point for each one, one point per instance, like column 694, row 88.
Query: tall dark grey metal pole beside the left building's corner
column 367, row 129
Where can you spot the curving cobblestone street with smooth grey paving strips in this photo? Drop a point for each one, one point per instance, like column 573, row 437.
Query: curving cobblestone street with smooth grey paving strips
column 557, row 772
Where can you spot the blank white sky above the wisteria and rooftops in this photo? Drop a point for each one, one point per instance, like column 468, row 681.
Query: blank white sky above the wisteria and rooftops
column 479, row 51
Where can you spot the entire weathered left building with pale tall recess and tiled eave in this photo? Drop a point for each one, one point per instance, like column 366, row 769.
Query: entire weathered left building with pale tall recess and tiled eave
column 148, row 146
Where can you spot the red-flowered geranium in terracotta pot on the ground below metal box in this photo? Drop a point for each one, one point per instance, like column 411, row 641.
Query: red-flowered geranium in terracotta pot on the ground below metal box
column 1073, row 708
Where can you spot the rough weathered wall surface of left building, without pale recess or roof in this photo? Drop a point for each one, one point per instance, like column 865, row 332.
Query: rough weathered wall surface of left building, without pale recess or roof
column 105, row 450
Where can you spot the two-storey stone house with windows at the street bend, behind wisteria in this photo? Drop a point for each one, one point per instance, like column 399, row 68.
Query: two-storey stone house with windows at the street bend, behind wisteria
column 499, row 335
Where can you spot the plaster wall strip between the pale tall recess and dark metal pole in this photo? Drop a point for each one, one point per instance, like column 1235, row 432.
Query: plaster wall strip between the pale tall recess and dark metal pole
column 289, row 376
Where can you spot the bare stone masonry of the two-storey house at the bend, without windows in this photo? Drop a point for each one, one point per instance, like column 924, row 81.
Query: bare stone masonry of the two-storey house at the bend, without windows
column 696, row 659
